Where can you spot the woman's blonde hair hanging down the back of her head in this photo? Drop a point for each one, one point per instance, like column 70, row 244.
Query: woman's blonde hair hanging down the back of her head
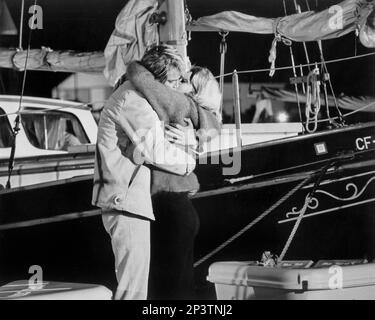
column 206, row 90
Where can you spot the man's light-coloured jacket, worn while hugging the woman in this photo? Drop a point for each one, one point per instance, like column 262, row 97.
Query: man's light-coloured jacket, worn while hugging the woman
column 130, row 138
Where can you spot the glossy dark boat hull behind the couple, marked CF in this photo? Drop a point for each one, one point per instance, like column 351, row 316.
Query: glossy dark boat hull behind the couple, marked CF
column 79, row 250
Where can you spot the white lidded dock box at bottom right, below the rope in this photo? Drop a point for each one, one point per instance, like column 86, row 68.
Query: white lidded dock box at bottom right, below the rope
column 246, row 281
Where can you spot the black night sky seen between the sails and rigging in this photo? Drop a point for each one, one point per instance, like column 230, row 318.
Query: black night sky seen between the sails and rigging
column 85, row 25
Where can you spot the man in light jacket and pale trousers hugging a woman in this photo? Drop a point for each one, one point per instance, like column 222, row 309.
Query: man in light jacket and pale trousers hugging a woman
column 130, row 132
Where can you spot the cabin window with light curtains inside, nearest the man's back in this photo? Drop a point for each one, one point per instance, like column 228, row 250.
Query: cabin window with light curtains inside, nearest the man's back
column 52, row 130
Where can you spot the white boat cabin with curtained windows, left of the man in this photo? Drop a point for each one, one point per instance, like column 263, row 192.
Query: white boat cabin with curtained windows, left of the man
column 52, row 136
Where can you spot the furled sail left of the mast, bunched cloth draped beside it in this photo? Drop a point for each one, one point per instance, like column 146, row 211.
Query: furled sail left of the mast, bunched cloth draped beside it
column 133, row 33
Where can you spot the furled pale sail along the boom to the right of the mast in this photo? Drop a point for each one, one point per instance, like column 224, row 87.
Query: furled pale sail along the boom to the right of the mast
column 333, row 22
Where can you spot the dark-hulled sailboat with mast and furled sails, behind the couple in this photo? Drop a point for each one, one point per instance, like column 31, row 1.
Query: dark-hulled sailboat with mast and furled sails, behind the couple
column 321, row 174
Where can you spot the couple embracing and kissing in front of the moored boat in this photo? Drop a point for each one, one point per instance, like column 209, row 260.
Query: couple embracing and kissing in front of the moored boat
column 149, row 134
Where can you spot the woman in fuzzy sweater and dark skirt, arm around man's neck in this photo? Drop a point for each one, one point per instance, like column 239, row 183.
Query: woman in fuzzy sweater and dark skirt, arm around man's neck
column 177, row 222
